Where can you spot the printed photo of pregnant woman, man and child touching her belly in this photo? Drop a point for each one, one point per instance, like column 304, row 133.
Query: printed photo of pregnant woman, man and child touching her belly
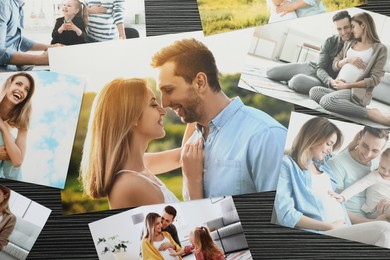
column 335, row 180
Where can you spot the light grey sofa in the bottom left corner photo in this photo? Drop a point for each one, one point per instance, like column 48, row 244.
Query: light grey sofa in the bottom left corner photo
column 21, row 240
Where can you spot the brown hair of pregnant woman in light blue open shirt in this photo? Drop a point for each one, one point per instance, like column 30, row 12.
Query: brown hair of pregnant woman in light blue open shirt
column 314, row 132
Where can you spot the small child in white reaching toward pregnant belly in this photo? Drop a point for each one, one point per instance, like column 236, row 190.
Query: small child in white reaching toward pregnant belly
column 376, row 184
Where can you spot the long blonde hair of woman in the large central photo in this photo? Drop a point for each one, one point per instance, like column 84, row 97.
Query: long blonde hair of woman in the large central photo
column 116, row 110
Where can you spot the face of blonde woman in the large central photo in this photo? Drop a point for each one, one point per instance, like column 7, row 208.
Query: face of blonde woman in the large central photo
column 151, row 124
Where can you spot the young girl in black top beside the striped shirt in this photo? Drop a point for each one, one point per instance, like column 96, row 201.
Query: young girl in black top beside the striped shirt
column 70, row 29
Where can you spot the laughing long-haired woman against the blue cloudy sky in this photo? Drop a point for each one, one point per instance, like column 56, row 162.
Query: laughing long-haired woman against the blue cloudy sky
column 15, row 112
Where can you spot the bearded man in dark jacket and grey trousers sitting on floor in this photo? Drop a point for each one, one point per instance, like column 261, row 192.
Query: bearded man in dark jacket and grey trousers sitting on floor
column 301, row 77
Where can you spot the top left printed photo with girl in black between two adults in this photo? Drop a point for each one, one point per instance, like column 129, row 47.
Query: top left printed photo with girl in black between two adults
column 30, row 28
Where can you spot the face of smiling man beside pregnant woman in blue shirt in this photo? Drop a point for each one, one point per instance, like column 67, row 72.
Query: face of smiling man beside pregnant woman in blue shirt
column 369, row 147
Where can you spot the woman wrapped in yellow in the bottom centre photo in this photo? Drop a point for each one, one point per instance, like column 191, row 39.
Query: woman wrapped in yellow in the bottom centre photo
column 157, row 244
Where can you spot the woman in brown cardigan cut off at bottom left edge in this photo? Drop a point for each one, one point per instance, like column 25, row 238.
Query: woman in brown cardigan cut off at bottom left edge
column 7, row 219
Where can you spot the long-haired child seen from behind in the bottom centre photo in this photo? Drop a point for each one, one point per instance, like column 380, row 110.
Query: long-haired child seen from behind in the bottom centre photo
column 202, row 246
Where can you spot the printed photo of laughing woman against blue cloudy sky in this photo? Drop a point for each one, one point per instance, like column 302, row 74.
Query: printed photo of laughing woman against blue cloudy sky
column 39, row 112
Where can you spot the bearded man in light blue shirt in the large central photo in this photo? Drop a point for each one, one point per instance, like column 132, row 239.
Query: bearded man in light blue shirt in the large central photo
column 243, row 146
